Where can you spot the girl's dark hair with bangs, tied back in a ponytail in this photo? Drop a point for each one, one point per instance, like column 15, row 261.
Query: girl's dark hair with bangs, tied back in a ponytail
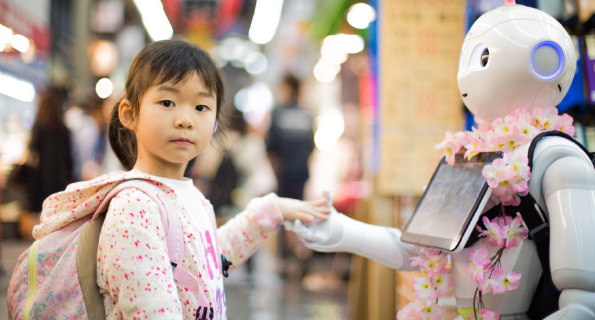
column 157, row 63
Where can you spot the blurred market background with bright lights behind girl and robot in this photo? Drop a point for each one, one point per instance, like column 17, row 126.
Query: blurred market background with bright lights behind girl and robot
column 342, row 95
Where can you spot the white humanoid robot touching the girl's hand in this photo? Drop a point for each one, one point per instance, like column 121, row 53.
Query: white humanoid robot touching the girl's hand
column 512, row 57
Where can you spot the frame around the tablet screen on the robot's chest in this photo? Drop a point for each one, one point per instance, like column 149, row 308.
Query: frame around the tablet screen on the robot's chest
column 458, row 243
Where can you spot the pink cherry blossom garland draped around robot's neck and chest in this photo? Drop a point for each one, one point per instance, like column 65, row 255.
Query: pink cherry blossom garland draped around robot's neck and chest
column 508, row 178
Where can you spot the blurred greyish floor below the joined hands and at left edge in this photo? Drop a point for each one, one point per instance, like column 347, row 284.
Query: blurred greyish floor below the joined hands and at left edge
column 261, row 296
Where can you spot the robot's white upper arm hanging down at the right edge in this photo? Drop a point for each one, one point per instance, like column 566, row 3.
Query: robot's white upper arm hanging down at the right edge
column 569, row 192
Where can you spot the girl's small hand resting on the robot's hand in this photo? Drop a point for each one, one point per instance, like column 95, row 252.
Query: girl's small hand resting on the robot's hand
column 305, row 211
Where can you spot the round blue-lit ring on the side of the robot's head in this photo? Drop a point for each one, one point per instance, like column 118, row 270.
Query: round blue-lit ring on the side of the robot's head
column 543, row 62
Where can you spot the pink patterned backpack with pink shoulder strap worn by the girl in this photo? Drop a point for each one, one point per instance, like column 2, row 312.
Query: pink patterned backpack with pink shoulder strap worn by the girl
column 56, row 278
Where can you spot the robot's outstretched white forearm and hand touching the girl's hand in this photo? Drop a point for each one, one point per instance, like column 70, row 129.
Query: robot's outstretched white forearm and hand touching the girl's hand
column 342, row 234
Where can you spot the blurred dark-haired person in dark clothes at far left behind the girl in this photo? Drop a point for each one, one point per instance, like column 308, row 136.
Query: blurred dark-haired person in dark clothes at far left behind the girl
column 50, row 151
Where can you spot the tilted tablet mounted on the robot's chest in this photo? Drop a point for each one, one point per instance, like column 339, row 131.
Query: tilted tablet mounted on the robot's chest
column 449, row 203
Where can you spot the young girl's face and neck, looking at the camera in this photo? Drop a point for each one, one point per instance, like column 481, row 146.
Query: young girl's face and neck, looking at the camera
column 175, row 124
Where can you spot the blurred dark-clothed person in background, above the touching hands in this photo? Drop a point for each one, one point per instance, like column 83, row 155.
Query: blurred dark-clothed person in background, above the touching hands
column 290, row 142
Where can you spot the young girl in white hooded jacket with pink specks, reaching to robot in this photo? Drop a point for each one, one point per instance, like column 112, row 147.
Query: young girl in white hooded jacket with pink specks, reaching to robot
column 172, row 106
